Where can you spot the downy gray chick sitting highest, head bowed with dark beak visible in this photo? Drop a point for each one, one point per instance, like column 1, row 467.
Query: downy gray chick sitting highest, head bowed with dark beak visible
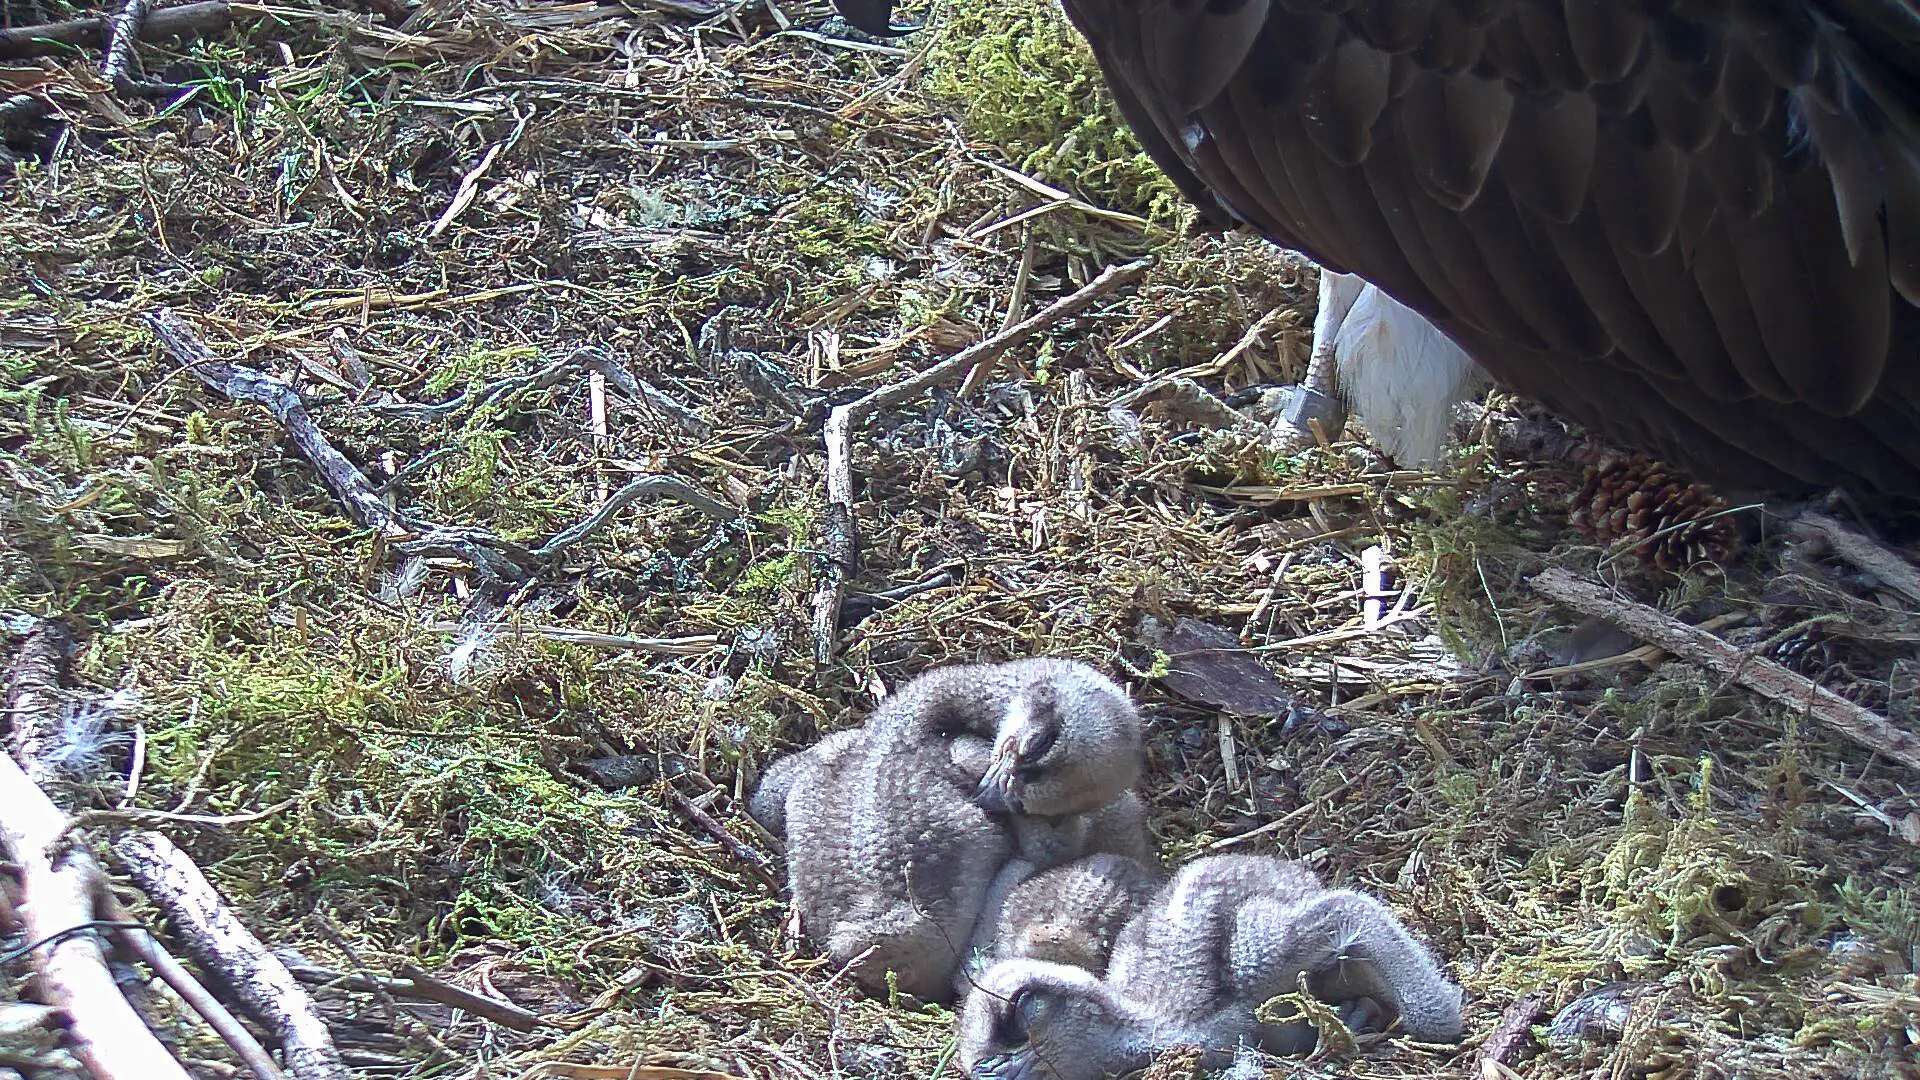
column 898, row 835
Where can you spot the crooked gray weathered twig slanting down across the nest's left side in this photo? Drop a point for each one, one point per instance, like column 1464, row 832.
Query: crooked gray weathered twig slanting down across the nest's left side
column 249, row 385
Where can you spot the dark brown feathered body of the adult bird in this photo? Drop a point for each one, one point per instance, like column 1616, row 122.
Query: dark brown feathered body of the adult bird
column 1691, row 226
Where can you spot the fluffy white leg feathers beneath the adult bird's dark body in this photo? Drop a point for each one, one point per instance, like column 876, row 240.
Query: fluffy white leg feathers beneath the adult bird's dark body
column 1401, row 376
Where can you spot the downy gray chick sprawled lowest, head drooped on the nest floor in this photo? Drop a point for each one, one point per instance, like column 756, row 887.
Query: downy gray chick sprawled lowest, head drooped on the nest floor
column 1222, row 939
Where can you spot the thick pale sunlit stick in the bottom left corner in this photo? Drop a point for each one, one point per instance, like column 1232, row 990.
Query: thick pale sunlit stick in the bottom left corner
column 57, row 902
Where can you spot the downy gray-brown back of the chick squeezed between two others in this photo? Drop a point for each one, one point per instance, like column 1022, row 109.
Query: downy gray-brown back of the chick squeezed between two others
column 1070, row 914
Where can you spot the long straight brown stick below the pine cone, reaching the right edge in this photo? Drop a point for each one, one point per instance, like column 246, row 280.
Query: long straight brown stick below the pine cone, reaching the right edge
column 1756, row 674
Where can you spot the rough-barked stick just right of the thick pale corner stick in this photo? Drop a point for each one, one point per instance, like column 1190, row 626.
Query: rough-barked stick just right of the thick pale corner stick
column 222, row 945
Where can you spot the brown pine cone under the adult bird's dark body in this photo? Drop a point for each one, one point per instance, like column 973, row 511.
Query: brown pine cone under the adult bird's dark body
column 1669, row 522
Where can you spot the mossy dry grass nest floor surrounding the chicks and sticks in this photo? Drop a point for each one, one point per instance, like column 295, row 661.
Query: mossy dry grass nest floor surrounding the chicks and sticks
column 642, row 182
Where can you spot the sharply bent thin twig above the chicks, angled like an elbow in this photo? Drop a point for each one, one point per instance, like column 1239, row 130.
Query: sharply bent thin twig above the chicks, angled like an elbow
column 842, row 539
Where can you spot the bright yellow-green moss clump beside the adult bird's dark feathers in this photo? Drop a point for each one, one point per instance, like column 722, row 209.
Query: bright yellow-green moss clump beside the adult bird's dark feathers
column 1026, row 82
